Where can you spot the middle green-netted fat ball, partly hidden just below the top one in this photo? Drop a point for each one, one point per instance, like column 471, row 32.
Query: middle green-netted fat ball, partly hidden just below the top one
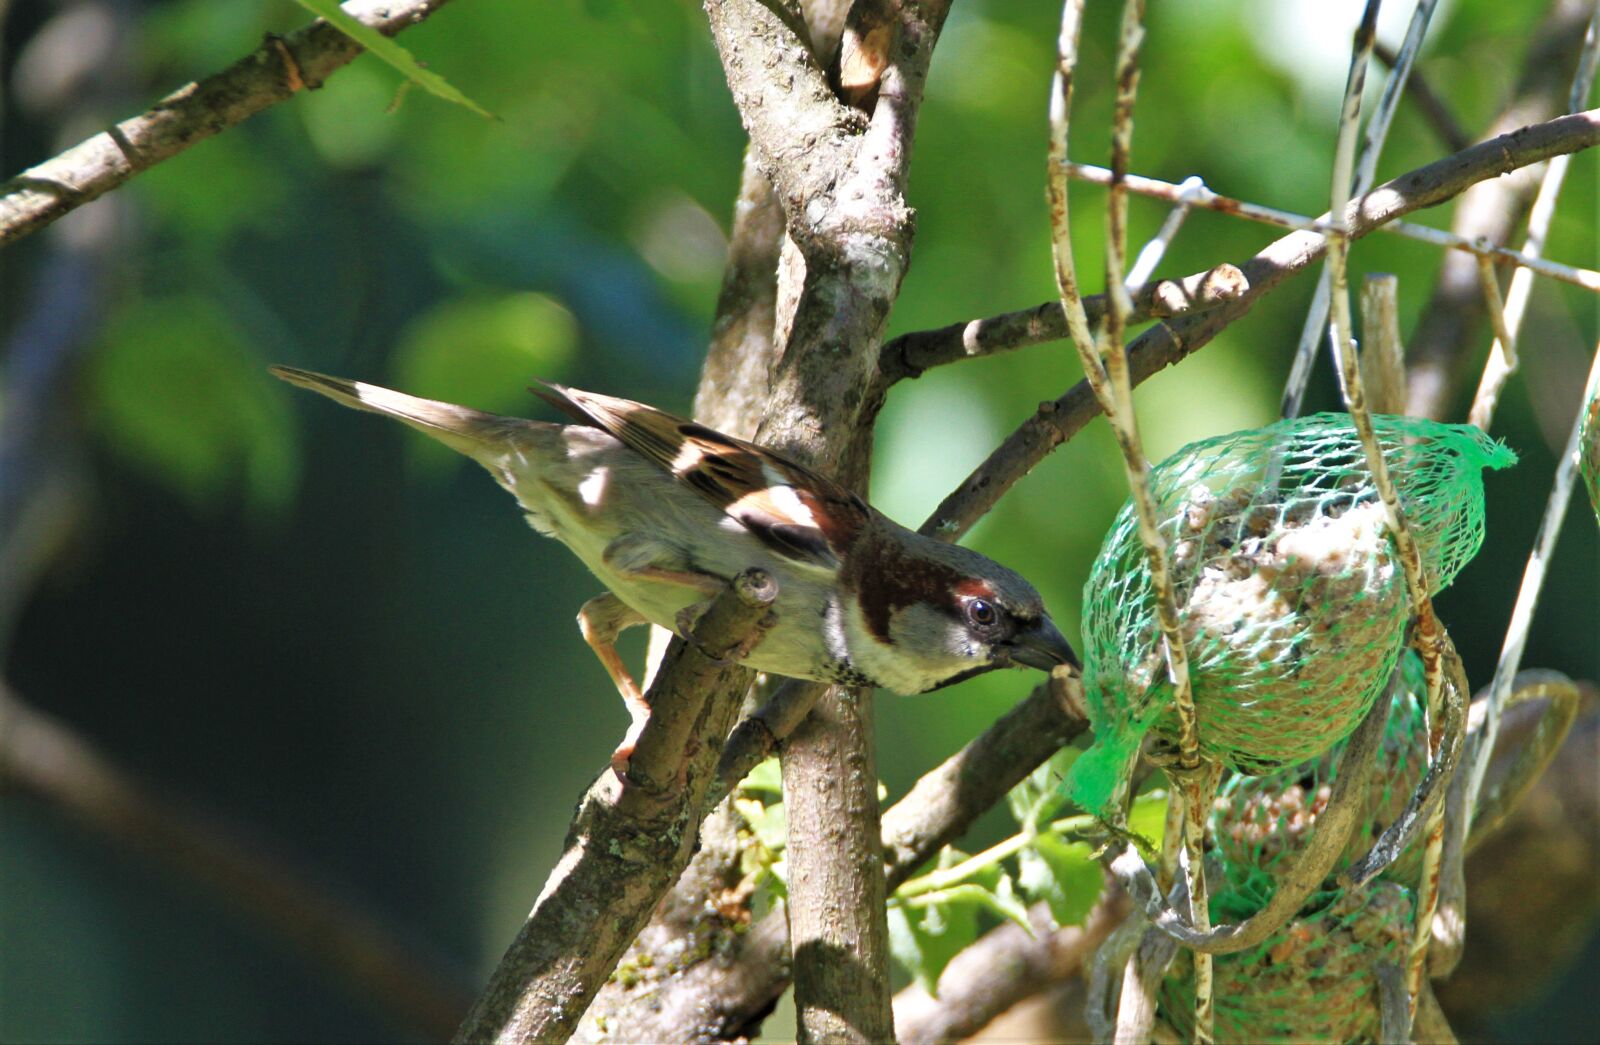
column 1262, row 823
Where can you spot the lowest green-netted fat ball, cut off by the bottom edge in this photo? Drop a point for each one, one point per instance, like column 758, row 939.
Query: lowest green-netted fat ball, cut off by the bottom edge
column 1313, row 982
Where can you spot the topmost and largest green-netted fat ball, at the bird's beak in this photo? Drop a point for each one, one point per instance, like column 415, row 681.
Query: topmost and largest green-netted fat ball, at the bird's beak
column 1292, row 601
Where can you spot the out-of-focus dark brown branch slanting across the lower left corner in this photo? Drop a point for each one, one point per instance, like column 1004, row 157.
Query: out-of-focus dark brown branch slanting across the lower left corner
column 42, row 758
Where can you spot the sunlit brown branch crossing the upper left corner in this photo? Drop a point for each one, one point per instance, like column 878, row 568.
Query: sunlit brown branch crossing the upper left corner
column 191, row 114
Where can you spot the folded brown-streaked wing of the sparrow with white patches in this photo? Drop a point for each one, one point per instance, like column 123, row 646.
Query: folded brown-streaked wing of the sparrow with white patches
column 796, row 511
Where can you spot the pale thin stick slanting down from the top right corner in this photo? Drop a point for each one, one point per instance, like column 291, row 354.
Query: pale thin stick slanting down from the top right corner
column 1506, row 318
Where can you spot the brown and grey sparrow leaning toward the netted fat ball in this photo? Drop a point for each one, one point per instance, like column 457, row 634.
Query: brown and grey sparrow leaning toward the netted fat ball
column 666, row 513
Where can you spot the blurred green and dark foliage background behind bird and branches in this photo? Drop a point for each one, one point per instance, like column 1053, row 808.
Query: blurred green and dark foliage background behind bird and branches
column 274, row 619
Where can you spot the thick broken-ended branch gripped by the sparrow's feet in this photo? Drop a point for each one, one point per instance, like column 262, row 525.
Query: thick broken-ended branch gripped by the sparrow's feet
column 631, row 838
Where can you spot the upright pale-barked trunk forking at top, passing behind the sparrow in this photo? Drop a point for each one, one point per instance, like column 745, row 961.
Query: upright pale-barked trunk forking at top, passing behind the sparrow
column 842, row 186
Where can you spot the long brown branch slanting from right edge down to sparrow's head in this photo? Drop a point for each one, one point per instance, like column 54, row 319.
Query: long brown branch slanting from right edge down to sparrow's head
column 1167, row 343
